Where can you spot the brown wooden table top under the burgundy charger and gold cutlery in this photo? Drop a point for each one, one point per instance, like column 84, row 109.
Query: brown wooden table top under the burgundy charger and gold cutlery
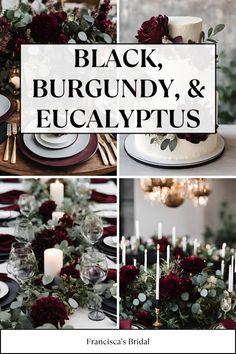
column 26, row 167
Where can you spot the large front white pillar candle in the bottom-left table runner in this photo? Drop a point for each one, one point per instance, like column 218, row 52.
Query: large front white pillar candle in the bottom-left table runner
column 53, row 261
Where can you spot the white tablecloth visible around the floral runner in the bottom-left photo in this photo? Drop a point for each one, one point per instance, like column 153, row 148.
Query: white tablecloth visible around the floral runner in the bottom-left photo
column 80, row 318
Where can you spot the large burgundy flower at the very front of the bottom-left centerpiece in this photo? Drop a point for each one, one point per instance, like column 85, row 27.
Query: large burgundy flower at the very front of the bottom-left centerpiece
column 48, row 310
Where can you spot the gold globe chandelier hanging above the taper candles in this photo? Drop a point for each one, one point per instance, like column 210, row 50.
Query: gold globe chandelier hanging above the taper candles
column 172, row 192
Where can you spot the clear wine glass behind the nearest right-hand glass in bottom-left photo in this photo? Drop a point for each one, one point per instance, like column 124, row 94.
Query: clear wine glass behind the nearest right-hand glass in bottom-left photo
column 92, row 228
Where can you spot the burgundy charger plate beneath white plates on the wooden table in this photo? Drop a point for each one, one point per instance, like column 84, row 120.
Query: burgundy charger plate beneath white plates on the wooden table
column 82, row 156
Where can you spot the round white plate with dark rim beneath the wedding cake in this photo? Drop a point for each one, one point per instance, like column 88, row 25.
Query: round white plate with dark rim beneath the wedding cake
column 144, row 158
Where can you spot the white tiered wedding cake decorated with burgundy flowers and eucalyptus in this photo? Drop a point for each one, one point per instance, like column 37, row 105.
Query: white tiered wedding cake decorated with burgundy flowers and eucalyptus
column 189, row 146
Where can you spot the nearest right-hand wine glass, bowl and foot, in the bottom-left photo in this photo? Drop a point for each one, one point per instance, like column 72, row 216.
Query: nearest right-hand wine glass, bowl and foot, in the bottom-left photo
column 93, row 270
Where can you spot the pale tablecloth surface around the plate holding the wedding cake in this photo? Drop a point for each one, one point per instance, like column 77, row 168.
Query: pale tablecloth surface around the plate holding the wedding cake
column 224, row 166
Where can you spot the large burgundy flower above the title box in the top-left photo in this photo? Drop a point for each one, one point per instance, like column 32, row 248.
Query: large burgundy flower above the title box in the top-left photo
column 45, row 29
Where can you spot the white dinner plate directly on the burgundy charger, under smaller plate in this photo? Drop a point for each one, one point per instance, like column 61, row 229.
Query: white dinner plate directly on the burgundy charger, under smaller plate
column 79, row 145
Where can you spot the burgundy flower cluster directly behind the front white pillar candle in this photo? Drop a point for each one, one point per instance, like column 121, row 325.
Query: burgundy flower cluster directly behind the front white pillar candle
column 47, row 238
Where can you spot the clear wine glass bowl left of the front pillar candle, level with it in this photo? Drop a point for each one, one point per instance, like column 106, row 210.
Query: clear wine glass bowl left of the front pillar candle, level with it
column 22, row 263
